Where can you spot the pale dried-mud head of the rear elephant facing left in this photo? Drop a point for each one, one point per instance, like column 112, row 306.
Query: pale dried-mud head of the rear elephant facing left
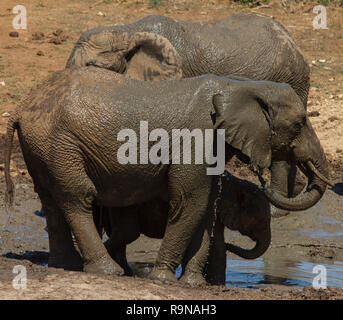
column 142, row 55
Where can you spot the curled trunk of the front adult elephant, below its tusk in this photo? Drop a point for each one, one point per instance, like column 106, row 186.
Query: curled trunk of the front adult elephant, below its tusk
column 317, row 181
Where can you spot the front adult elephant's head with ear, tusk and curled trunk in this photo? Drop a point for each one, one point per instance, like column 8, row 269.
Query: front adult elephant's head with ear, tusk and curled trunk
column 265, row 121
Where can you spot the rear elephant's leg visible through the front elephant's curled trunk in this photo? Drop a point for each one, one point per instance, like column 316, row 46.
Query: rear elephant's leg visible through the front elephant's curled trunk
column 282, row 172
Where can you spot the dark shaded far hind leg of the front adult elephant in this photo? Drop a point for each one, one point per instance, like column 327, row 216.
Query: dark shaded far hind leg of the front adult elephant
column 62, row 252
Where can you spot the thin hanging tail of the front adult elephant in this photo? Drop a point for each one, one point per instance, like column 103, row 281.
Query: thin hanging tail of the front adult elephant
column 12, row 125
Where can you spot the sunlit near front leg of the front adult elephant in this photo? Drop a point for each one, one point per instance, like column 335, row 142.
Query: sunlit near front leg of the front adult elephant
column 187, row 209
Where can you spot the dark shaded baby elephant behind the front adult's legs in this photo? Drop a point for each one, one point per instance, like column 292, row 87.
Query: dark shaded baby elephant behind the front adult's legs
column 241, row 206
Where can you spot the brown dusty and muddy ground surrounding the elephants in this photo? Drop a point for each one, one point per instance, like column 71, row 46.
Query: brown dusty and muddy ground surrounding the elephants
column 42, row 49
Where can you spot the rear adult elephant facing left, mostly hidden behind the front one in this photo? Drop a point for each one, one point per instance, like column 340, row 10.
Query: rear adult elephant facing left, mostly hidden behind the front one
column 248, row 45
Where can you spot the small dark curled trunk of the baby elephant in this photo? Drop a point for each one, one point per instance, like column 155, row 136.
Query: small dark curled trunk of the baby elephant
column 262, row 238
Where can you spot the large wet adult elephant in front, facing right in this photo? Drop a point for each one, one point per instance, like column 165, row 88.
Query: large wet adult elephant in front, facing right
column 68, row 129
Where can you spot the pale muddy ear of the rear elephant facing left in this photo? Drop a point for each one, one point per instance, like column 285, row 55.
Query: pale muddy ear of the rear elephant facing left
column 152, row 57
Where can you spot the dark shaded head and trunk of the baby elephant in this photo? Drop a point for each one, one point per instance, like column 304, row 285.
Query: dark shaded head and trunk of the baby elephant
column 244, row 208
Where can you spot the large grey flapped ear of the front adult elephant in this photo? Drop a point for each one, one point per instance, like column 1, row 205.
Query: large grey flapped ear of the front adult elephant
column 247, row 114
